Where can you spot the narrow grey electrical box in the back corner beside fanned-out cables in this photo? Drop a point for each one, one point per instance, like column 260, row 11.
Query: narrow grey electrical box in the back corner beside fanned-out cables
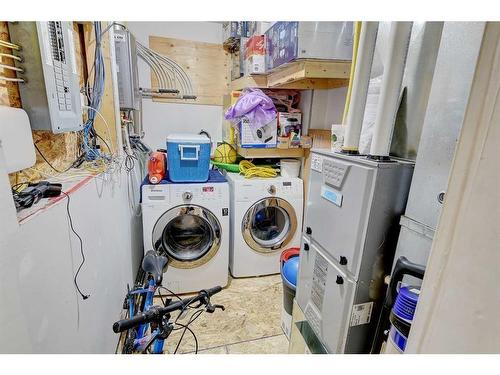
column 126, row 61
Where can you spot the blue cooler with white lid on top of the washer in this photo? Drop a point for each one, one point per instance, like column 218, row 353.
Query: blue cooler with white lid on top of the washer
column 188, row 157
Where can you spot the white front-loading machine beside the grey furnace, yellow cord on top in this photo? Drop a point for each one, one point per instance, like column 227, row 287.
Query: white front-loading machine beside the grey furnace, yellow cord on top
column 266, row 218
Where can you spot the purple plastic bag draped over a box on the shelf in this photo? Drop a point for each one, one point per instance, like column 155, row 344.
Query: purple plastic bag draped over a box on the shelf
column 253, row 104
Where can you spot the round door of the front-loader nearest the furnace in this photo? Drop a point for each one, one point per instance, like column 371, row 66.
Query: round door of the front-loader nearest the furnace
column 269, row 225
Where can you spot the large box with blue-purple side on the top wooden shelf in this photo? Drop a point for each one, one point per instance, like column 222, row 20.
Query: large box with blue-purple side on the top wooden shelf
column 288, row 41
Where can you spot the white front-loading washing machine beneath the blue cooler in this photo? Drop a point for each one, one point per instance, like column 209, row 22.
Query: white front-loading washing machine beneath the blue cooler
column 189, row 223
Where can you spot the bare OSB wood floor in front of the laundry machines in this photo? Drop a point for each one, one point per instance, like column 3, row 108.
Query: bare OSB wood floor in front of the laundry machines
column 249, row 325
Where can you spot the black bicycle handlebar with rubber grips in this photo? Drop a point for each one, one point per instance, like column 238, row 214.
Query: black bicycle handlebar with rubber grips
column 156, row 312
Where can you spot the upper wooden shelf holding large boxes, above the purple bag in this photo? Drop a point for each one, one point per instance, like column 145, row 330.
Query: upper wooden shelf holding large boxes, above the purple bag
column 300, row 75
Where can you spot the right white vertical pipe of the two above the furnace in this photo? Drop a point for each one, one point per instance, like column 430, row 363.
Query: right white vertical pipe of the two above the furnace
column 399, row 39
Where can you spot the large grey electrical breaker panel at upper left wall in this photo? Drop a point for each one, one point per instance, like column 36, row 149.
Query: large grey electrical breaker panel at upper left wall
column 51, row 92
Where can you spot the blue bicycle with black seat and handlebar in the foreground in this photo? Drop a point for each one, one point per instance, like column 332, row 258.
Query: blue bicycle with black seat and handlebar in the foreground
column 156, row 319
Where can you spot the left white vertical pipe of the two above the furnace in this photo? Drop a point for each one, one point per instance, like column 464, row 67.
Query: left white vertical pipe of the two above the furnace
column 361, row 80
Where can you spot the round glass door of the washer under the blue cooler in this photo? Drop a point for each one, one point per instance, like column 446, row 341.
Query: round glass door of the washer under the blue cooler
column 189, row 235
